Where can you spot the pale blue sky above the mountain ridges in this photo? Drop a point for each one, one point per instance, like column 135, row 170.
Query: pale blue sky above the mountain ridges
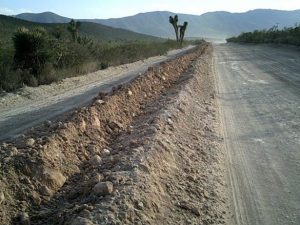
column 119, row 8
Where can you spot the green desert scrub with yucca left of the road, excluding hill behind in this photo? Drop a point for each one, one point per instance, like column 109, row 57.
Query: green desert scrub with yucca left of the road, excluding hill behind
column 40, row 57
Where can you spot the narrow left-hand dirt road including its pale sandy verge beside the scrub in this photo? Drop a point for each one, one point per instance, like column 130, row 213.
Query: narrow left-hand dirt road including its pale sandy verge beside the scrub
column 48, row 102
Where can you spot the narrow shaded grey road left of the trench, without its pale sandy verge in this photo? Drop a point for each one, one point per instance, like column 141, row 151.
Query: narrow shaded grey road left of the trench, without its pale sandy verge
column 16, row 120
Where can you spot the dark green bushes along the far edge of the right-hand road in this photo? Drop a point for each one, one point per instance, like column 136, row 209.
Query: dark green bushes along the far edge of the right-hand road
column 289, row 35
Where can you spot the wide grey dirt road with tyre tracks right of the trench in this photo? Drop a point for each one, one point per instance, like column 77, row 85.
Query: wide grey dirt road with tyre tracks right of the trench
column 259, row 92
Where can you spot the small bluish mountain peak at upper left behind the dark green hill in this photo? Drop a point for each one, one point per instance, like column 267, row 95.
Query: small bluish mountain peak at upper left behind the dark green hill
column 45, row 17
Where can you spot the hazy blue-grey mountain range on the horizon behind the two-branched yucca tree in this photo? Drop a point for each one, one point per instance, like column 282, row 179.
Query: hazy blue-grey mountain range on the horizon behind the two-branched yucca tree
column 213, row 25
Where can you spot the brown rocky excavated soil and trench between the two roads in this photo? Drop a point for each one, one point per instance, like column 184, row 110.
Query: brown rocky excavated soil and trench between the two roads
column 146, row 153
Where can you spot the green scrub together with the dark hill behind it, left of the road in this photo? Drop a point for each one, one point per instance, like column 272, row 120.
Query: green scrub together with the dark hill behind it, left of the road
column 33, row 54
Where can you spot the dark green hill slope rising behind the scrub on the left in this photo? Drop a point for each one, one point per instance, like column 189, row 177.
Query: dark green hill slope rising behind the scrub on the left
column 8, row 25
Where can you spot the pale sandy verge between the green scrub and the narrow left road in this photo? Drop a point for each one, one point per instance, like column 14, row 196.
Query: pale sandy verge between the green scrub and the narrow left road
column 74, row 85
